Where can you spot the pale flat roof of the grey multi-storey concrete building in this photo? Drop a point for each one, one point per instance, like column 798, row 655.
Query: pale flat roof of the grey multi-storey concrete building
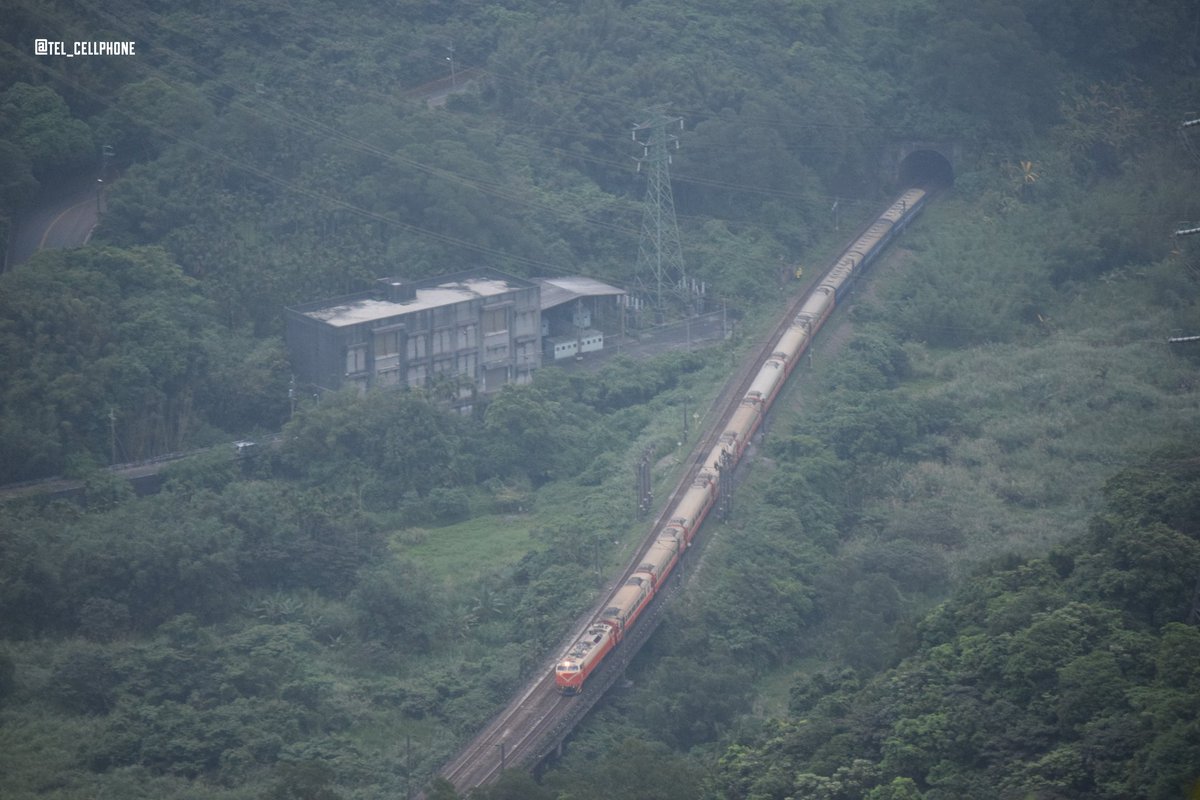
column 368, row 308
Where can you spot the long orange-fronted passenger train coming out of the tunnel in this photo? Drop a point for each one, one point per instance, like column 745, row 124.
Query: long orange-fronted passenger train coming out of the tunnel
column 634, row 597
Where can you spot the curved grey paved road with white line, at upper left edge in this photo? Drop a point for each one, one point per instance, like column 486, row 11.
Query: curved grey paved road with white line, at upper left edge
column 64, row 219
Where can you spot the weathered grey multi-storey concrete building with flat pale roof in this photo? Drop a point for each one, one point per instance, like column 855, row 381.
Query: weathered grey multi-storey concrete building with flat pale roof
column 476, row 332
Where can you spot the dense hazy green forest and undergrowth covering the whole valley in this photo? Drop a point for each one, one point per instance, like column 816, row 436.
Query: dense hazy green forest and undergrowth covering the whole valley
column 963, row 563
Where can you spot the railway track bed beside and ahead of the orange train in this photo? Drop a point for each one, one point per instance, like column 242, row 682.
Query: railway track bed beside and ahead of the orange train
column 538, row 718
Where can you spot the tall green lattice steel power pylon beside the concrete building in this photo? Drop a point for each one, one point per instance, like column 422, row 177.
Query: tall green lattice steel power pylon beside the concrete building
column 659, row 255
